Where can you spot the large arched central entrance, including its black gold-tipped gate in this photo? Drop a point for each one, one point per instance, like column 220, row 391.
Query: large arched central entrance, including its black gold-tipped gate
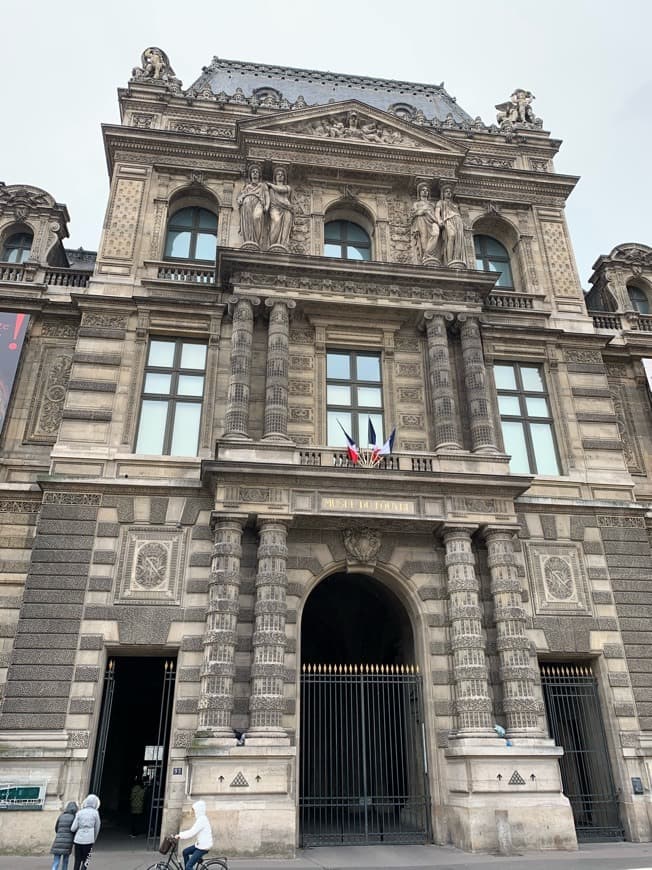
column 363, row 772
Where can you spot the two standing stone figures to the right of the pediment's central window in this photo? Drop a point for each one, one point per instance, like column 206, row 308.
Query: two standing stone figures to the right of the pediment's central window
column 437, row 229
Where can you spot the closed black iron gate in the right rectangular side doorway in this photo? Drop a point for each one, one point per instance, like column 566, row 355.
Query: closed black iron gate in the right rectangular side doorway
column 573, row 707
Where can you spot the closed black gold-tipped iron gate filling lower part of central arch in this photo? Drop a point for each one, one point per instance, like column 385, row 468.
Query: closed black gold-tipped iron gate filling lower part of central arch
column 363, row 776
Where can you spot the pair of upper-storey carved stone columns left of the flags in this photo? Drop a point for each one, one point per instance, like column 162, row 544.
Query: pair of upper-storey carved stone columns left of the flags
column 236, row 424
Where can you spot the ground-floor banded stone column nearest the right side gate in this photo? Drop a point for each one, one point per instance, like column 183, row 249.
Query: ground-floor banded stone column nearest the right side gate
column 520, row 703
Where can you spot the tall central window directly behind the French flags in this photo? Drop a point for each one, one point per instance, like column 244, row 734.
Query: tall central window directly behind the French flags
column 354, row 395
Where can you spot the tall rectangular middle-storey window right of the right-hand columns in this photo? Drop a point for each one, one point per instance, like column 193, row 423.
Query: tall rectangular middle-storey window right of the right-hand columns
column 525, row 419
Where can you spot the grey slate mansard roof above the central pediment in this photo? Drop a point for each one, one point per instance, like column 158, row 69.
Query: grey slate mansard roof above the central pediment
column 320, row 88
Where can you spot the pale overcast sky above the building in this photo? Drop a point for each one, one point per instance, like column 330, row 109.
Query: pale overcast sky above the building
column 587, row 62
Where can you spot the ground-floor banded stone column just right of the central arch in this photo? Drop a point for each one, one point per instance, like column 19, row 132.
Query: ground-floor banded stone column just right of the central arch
column 470, row 671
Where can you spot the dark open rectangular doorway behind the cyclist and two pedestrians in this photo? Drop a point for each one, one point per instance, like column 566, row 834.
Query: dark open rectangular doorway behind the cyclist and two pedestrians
column 132, row 744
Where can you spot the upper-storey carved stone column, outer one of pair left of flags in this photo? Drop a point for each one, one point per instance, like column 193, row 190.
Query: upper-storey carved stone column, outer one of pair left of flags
column 236, row 421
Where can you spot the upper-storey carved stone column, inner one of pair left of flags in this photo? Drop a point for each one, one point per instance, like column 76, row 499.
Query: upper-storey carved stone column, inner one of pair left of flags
column 278, row 360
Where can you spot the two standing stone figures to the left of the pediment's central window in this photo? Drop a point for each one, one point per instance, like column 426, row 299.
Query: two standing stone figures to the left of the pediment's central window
column 266, row 211
